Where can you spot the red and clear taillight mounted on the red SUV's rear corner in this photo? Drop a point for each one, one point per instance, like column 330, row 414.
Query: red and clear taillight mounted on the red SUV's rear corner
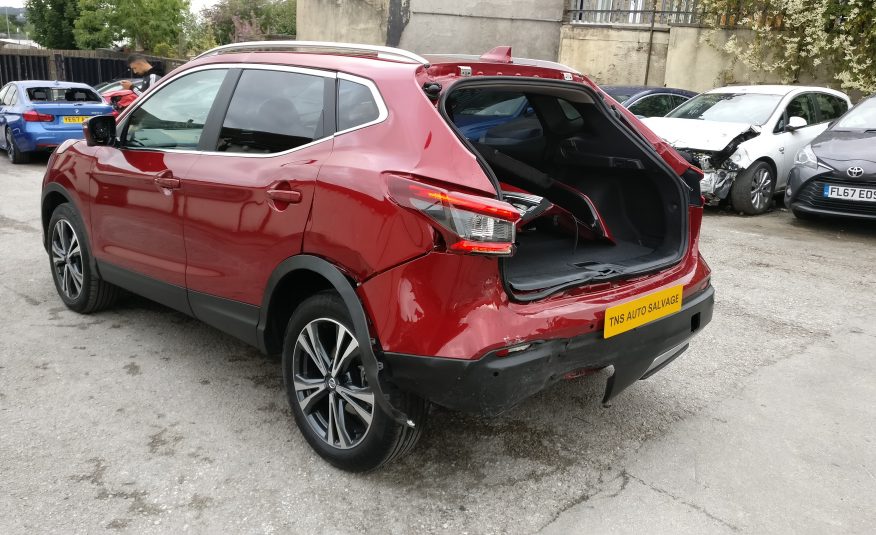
column 470, row 224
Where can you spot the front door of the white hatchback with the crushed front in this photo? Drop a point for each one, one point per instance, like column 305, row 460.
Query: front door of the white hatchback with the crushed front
column 788, row 143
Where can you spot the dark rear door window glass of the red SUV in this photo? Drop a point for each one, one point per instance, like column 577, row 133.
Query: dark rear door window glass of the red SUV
column 273, row 111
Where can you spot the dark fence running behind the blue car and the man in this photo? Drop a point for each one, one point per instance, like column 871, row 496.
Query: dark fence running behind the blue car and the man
column 89, row 67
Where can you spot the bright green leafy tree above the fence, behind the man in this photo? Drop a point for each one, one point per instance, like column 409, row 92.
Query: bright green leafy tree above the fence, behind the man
column 144, row 24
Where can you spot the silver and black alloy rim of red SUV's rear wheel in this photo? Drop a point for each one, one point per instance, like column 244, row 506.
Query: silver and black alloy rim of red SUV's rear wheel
column 330, row 384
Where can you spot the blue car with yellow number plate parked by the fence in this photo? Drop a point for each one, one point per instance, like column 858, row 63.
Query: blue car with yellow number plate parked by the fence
column 40, row 115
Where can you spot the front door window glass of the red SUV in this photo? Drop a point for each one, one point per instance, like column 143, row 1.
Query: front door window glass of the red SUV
column 174, row 117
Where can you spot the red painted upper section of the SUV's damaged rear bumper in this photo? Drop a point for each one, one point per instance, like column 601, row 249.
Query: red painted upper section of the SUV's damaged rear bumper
column 453, row 306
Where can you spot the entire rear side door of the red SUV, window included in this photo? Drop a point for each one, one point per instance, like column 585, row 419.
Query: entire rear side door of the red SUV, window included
column 248, row 199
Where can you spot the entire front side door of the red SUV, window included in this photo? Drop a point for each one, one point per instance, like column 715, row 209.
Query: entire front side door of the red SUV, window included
column 137, row 207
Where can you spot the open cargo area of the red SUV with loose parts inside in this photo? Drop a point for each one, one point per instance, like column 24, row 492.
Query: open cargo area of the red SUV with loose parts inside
column 597, row 202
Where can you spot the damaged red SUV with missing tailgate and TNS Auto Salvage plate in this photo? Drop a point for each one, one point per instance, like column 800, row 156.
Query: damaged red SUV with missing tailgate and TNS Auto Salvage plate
column 321, row 201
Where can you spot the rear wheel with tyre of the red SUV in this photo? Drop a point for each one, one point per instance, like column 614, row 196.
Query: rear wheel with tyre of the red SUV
column 329, row 394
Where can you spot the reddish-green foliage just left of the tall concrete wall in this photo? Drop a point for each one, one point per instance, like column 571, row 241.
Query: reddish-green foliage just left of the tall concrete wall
column 245, row 20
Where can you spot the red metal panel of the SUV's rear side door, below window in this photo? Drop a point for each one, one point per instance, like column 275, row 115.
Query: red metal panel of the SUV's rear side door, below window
column 235, row 235
